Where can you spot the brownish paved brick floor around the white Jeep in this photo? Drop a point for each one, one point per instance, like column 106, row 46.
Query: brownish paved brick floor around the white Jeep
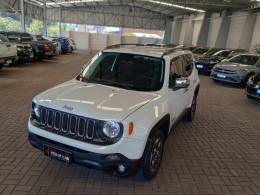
column 219, row 153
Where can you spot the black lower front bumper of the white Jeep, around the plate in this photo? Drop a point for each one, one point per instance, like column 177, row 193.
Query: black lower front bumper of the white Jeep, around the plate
column 107, row 162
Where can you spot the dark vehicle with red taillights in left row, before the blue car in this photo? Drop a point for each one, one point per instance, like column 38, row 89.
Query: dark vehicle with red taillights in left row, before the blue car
column 49, row 47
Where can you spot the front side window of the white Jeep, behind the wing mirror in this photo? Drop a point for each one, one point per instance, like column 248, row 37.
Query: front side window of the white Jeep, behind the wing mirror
column 176, row 70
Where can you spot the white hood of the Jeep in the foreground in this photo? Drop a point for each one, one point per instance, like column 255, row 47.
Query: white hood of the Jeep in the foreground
column 94, row 100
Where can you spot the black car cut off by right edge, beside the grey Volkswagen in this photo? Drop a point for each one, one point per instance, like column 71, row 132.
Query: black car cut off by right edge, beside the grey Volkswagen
column 253, row 87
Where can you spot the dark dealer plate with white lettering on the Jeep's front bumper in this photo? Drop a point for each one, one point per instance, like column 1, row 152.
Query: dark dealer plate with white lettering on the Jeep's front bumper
column 57, row 154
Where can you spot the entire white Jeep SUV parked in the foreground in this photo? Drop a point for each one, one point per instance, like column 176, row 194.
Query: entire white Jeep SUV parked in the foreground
column 117, row 114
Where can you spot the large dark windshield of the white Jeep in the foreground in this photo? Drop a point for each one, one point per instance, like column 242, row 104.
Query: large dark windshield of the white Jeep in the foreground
column 129, row 71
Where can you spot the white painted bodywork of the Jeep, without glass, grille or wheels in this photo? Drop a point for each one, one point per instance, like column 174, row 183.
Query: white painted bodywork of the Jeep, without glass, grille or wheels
column 98, row 101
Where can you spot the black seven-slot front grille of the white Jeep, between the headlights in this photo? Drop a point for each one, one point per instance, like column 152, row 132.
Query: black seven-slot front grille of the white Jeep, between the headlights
column 69, row 125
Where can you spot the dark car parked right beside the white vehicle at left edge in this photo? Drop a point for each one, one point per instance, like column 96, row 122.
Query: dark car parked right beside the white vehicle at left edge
column 24, row 49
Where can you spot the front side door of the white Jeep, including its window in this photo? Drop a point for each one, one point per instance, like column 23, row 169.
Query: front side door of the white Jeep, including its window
column 177, row 100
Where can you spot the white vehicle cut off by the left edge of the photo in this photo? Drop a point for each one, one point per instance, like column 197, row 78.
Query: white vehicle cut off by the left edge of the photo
column 8, row 51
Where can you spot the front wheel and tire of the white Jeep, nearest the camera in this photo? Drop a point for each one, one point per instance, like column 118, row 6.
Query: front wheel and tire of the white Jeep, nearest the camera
column 153, row 155
